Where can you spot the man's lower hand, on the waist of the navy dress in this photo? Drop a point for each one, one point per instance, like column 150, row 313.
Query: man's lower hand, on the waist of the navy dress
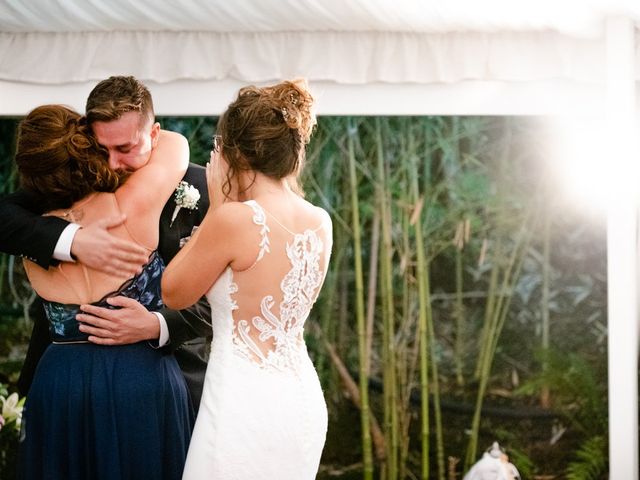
column 131, row 323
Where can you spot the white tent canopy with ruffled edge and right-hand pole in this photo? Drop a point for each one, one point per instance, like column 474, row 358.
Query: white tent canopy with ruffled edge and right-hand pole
column 392, row 57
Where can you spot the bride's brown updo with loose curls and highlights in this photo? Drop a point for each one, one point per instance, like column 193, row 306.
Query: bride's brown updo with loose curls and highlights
column 266, row 130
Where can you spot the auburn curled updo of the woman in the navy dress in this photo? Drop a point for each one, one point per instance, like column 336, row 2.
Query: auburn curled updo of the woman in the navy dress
column 59, row 160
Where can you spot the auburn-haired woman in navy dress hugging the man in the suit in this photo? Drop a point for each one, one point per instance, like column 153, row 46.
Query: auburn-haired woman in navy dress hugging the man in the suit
column 100, row 412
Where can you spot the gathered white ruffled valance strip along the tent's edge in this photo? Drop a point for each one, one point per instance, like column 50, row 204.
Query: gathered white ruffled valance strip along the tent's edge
column 342, row 57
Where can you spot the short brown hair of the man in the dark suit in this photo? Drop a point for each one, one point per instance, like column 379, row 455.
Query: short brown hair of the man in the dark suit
column 117, row 95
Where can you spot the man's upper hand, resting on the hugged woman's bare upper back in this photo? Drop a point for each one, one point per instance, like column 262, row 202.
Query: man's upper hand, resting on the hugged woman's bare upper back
column 97, row 248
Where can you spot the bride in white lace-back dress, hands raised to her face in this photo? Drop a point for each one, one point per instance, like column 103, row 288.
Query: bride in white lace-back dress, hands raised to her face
column 261, row 261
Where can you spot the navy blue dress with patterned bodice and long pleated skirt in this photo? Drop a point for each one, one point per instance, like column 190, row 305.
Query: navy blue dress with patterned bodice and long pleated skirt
column 106, row 412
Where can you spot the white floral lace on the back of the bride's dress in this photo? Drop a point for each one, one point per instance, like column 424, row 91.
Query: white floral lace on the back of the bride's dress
column 273, row 339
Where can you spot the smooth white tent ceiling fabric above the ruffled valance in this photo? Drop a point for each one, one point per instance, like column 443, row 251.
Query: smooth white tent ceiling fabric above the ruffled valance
column 575, row 17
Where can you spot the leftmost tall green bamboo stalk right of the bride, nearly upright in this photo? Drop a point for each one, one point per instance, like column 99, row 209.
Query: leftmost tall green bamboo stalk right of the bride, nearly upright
column 359, row 293
